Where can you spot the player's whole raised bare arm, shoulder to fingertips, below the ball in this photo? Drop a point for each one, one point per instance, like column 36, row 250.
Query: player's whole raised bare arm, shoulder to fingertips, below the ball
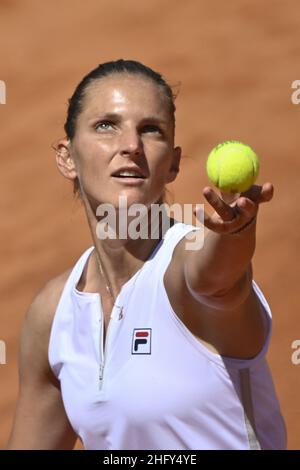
column 211, row 289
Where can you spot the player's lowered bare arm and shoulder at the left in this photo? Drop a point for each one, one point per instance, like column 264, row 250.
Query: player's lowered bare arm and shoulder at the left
column 40, row 419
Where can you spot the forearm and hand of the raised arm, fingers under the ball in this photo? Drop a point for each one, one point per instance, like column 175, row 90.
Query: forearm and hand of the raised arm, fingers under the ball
column 224, row 265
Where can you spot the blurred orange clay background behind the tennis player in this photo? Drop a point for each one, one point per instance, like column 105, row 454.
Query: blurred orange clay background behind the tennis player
column 235, row 60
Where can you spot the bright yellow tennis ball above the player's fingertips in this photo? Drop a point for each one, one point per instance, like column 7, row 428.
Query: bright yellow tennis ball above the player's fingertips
column 232, row 166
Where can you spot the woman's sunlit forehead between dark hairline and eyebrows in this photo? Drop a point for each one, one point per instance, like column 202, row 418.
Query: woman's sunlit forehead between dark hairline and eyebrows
column 125, row 93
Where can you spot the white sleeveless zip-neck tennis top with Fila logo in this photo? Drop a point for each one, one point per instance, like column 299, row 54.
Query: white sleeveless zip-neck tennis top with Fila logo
column 154, row 385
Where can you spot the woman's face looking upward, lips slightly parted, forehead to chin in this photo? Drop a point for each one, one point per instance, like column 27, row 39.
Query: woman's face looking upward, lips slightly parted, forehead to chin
column 125, row 123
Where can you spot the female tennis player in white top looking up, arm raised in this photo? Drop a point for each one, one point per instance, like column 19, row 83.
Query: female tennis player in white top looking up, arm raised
column 144, row 344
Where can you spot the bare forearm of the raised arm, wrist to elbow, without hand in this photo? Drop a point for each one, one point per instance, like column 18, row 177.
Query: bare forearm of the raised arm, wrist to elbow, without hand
column 222, row 262
